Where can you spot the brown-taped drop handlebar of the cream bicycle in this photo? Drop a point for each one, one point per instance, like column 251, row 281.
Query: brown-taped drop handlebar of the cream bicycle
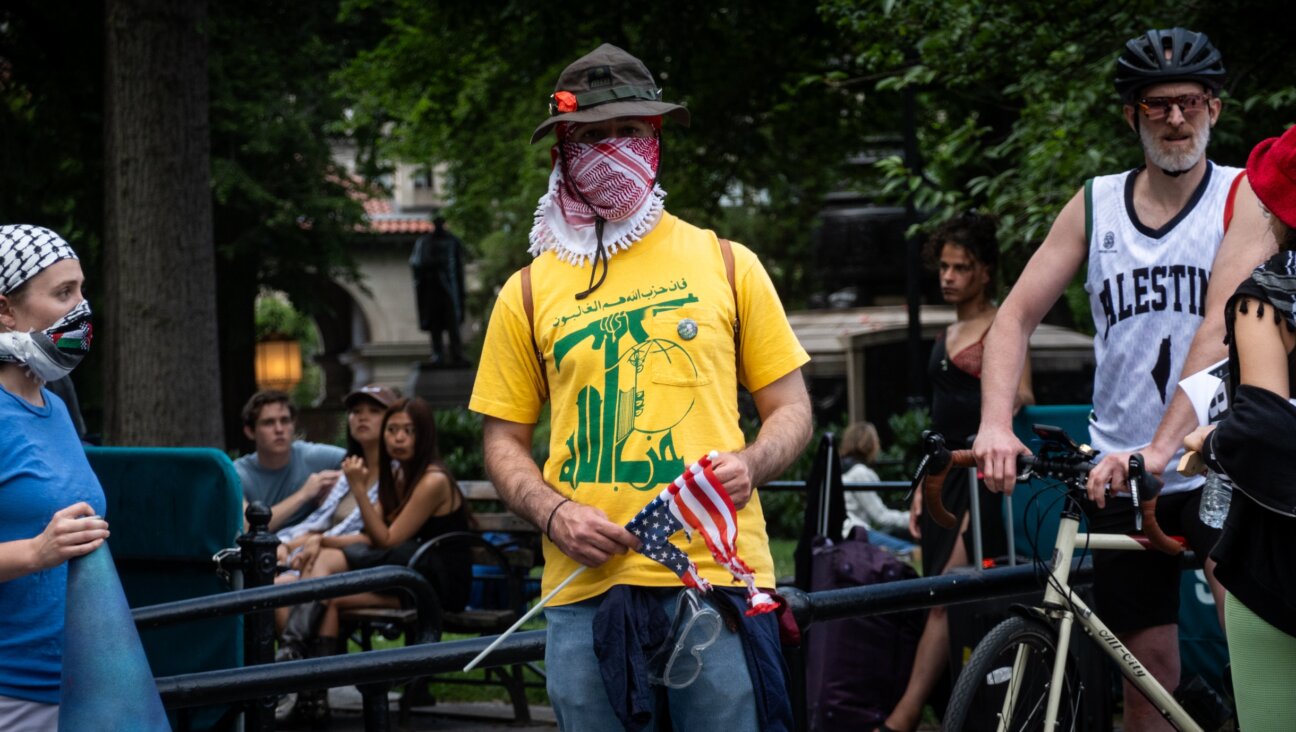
column 1072, row 470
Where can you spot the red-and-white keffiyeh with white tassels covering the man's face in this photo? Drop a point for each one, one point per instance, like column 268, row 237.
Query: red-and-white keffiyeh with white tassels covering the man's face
column 618, row 178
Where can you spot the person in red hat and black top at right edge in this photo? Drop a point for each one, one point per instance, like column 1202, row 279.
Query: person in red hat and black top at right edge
column 1254, row 446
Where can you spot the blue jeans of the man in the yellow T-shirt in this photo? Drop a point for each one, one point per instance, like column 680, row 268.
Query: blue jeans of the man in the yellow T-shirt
column 720, row 700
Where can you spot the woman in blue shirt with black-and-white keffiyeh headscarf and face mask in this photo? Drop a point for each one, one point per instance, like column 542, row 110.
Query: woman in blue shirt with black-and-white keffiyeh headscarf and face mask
column 50, row 499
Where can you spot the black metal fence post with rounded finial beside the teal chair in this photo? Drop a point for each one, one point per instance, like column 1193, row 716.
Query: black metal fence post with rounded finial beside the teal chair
column 259, row 549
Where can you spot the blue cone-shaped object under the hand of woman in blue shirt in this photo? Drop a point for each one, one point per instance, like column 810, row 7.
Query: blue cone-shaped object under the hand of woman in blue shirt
column 107, row 685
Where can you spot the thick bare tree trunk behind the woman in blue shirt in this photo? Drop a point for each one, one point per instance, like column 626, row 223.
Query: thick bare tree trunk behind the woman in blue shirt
column 163, row 382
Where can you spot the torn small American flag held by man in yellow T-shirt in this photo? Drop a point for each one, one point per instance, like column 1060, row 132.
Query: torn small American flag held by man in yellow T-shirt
column 697, row 502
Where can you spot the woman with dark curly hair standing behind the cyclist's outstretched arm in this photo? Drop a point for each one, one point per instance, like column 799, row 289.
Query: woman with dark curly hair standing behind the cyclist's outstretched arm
column 965, row 251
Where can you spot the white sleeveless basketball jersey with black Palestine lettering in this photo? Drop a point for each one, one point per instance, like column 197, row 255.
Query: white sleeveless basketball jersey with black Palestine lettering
column 1148, row 292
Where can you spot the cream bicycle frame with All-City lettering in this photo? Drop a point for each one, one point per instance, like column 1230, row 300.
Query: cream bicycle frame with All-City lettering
column 1062, row 606
